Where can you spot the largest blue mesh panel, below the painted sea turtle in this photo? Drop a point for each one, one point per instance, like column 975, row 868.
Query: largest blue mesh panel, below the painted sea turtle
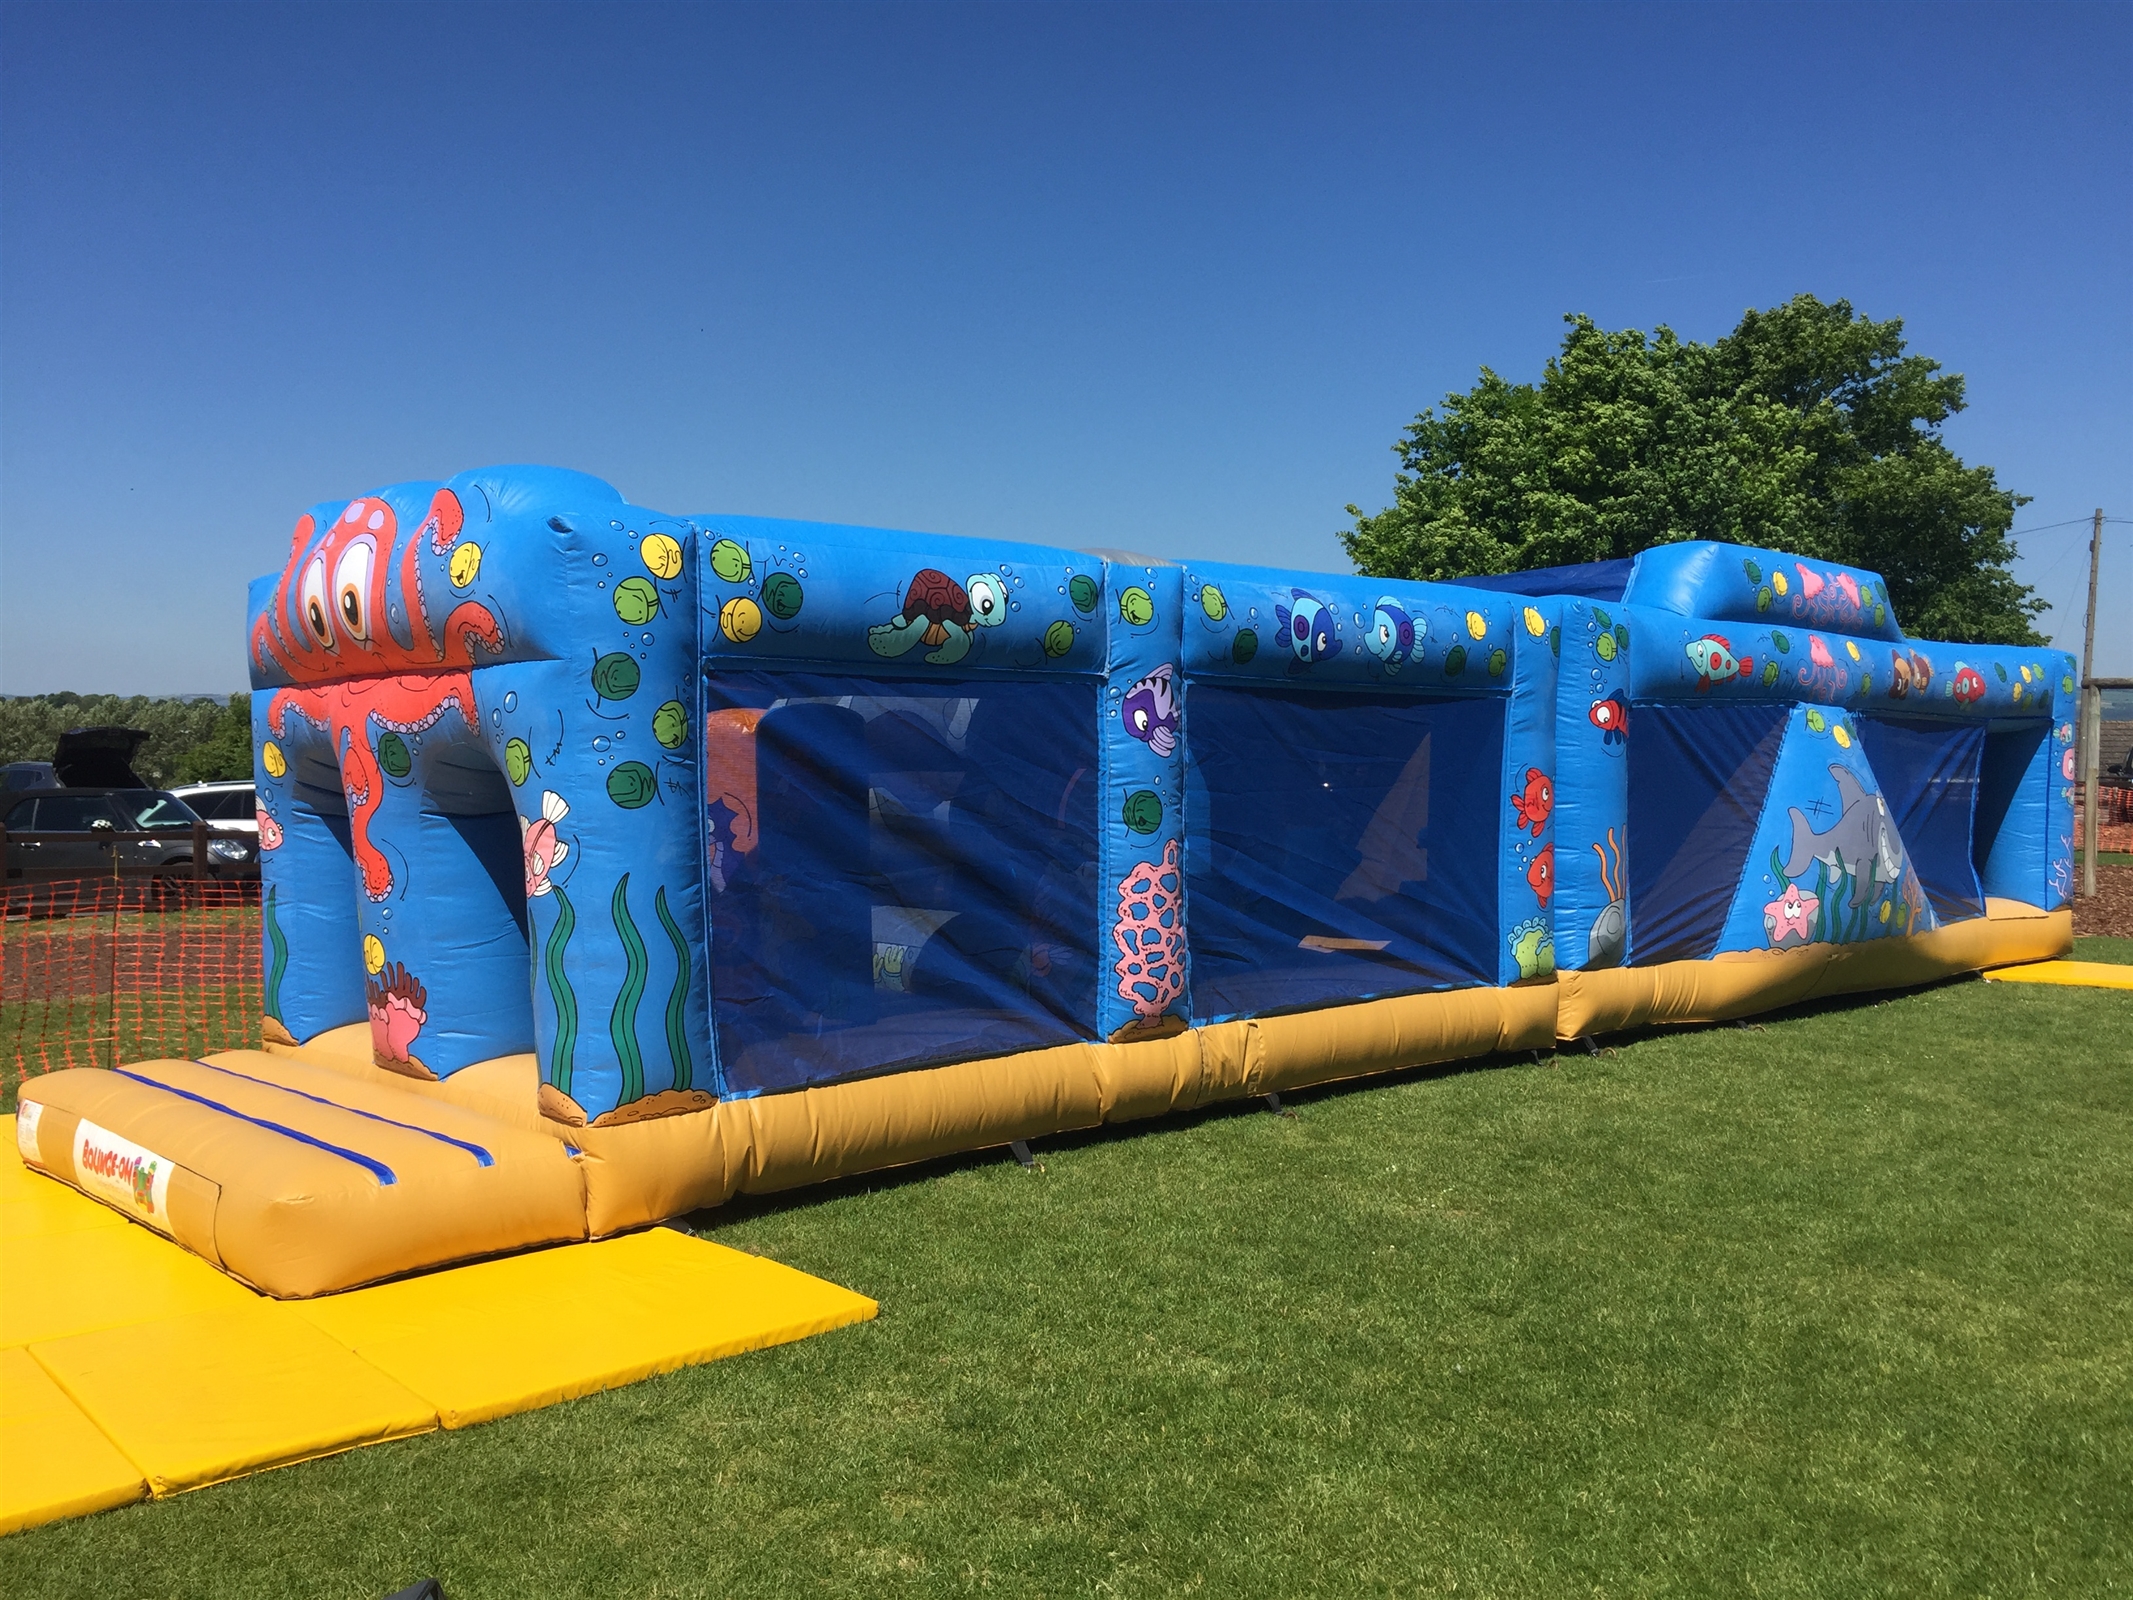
column 903, row 874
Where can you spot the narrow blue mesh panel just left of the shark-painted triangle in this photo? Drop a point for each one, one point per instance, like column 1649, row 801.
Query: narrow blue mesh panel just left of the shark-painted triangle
column 1697, row 788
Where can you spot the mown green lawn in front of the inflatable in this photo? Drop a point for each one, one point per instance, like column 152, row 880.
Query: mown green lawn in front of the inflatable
column 1827, row 1307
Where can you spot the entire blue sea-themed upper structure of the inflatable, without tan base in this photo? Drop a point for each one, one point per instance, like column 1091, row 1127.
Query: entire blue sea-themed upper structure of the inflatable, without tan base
column 707, row 807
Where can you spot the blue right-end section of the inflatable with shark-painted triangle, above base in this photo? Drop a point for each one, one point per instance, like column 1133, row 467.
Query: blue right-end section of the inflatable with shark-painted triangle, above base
column 1752, row 756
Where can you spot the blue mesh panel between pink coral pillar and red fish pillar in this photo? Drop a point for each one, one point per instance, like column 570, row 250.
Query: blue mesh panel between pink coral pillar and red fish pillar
column 1351, row 846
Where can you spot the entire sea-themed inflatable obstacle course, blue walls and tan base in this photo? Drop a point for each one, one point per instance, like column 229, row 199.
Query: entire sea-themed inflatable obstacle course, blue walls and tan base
column 618, row 863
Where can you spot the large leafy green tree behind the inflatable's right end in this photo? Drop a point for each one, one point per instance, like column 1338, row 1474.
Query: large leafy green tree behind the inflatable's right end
column 1806, row 430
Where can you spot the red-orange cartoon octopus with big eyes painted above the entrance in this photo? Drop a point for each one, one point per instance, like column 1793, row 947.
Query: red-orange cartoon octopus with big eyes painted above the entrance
column 355, row 675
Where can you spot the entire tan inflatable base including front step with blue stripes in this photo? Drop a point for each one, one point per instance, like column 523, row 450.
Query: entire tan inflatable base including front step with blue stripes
column 306, row 1170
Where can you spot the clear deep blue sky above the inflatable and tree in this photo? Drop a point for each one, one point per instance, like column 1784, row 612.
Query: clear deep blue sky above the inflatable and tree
column 1166, row 278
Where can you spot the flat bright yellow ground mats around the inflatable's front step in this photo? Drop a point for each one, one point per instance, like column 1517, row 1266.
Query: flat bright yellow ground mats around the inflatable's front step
column 129, row 1366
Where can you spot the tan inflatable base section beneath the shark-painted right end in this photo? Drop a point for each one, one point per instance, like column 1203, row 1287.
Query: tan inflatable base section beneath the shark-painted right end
column 1767, row 980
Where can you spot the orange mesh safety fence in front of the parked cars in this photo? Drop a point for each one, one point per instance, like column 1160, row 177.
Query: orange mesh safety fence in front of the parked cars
column 112, row 970
